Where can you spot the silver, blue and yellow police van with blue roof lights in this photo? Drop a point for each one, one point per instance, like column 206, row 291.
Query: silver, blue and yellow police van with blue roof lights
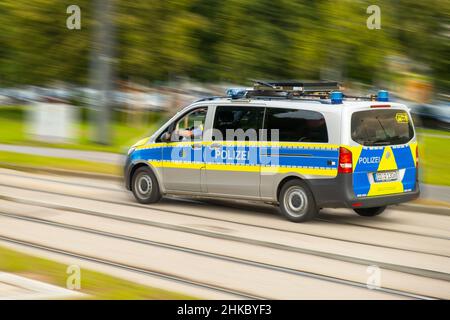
column 301, row 146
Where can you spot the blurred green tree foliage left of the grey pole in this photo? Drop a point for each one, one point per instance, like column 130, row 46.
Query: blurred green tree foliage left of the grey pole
column 37, row 48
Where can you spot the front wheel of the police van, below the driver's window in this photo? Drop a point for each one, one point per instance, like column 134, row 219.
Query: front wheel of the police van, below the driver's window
column 145, row 186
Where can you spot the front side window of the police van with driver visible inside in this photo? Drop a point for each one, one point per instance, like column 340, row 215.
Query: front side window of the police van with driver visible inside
column 189, row 127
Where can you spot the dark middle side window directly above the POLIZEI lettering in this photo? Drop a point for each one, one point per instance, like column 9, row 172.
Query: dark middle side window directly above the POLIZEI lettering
column 237, row 123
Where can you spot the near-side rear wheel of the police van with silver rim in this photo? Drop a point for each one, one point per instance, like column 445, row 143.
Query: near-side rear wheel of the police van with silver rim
column 297, row 203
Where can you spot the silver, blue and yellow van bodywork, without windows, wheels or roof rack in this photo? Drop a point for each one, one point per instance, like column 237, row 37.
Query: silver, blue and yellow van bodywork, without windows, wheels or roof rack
column 314, row 163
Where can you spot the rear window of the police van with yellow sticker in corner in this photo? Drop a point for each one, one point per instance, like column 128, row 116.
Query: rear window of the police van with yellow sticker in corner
column 381, row 127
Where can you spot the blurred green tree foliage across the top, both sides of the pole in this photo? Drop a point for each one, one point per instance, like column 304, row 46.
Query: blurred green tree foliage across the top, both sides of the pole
column 228, row 41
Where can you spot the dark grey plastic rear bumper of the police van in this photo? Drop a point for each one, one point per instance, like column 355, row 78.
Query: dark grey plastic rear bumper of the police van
column 338, row 193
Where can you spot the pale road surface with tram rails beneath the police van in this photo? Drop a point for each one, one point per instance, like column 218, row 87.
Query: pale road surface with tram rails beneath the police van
column 221, row 249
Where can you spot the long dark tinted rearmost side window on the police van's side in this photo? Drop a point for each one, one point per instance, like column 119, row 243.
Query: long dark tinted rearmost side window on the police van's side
column 296, row 125
